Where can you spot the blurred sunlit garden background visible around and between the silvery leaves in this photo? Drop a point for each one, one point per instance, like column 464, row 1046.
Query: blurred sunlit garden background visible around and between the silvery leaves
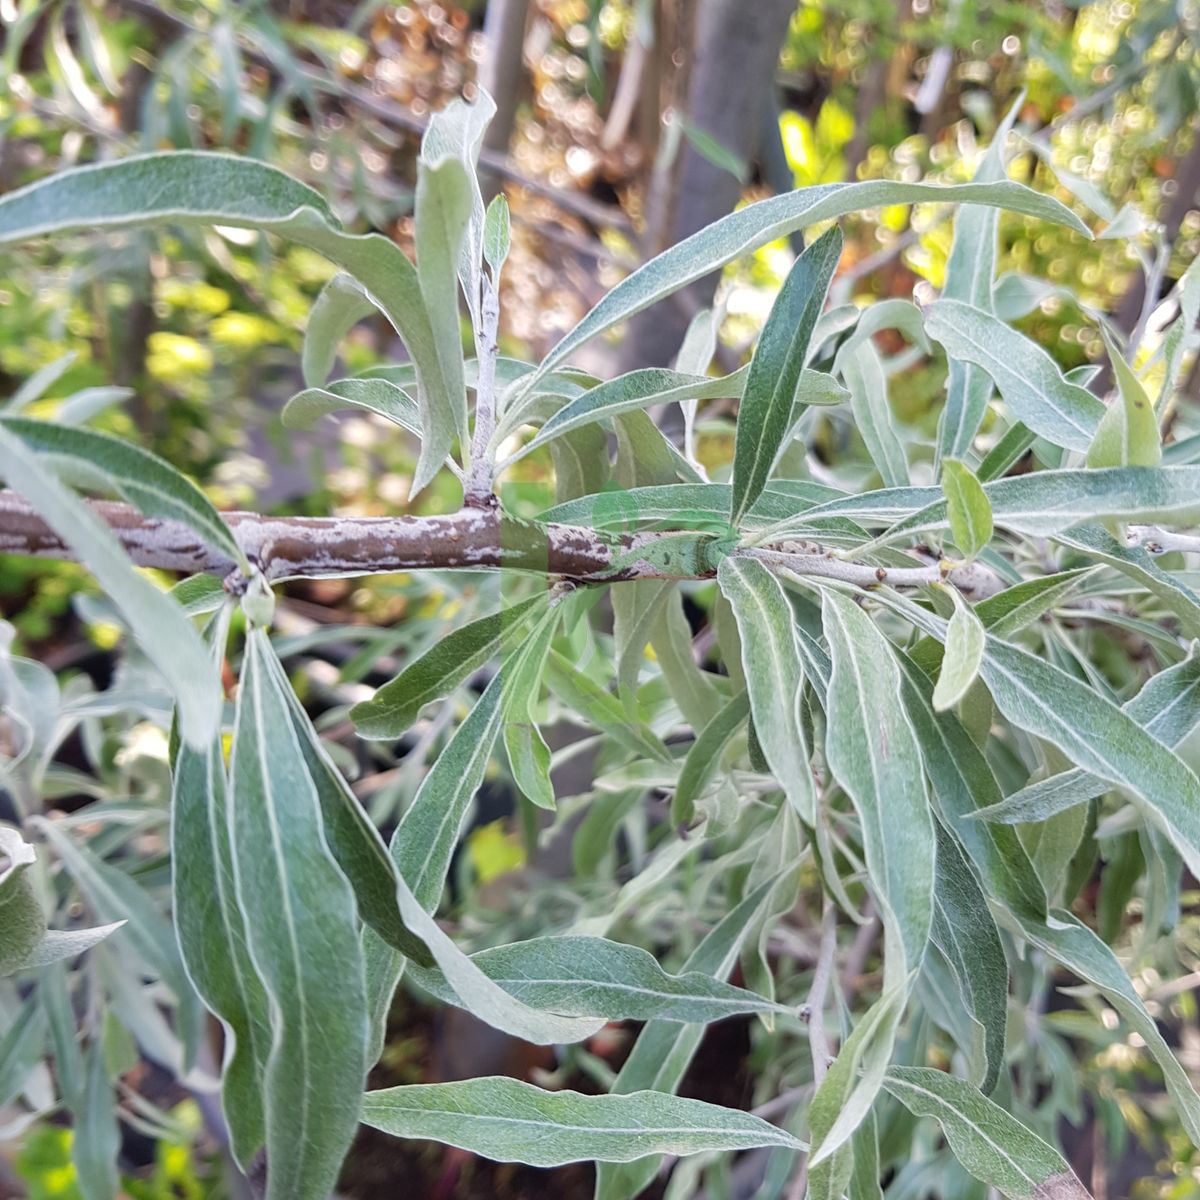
column 622, row 127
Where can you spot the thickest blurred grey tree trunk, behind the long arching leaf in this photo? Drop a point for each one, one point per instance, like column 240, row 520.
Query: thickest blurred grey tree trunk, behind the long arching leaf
column 736, row 53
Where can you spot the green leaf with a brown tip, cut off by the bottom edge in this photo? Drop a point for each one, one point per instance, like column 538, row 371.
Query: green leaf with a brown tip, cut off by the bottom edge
column 993, row 1145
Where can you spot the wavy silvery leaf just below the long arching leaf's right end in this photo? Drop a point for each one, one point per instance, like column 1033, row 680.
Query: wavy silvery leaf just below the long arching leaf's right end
column 1030, row 381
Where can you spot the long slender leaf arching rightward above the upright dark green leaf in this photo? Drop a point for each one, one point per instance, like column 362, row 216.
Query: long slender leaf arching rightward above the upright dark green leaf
column 754, row 226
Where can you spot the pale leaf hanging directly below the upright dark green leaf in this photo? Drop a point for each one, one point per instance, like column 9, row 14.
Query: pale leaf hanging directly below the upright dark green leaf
column 775, row 676
